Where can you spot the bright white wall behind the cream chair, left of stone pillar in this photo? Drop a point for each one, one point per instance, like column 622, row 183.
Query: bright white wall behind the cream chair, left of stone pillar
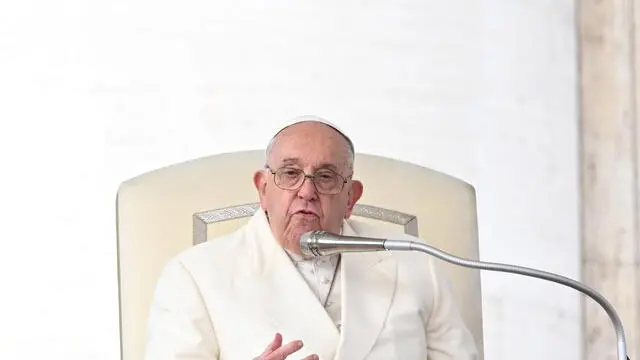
column 94, row 93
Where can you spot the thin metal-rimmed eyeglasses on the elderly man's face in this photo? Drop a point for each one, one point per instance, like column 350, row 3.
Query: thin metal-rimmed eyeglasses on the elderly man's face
column 326, row 181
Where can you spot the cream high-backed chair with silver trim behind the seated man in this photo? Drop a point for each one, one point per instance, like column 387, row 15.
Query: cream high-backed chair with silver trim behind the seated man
column 165, row 211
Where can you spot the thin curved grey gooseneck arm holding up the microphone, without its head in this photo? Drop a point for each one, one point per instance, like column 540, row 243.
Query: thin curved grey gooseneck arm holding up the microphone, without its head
column 615, row 319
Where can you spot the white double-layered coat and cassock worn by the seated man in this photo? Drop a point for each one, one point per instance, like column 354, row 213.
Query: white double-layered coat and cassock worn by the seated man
column 225, row 300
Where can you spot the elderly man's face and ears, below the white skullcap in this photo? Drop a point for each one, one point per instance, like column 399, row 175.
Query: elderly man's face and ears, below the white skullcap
column 309, row 147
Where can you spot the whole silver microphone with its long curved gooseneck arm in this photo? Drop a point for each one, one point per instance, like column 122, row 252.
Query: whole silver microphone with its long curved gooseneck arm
column 319, row 243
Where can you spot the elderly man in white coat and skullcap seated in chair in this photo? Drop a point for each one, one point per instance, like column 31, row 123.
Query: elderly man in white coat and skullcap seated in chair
column 253, row 295
